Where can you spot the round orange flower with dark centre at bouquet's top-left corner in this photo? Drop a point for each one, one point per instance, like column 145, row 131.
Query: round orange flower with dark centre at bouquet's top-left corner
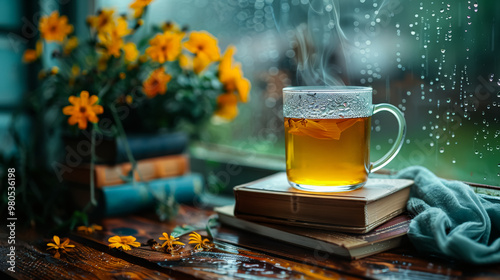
column 55, row 28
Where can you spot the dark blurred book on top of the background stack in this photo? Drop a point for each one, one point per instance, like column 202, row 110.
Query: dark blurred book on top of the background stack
column 150, row 146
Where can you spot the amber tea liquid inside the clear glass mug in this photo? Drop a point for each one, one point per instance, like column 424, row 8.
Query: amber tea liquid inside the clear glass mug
column 327, row 152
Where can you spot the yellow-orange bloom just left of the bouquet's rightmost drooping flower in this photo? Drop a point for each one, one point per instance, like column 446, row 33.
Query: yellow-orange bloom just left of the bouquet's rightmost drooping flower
column 205, row 48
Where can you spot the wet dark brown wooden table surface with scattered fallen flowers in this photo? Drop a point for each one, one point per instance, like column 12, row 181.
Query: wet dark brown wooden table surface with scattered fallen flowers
column 237, row 255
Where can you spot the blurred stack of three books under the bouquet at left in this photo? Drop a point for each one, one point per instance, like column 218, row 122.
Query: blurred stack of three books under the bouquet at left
column 162, row 170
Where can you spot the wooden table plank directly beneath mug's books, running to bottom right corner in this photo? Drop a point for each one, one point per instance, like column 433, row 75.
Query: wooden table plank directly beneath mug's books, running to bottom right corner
column 401, row 263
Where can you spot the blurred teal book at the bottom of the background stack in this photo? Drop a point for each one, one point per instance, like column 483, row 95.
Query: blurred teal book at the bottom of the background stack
column 132, row 198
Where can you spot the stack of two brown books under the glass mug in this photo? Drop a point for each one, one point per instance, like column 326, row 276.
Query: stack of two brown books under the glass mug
column 352, row 224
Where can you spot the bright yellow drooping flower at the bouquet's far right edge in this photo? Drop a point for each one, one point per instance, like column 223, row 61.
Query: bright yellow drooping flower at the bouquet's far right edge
column 231, row 76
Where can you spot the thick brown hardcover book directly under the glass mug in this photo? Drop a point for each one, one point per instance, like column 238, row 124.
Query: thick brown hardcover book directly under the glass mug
column 272, row 200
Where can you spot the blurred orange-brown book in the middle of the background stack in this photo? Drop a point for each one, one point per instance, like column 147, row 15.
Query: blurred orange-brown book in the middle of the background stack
column 149, row 169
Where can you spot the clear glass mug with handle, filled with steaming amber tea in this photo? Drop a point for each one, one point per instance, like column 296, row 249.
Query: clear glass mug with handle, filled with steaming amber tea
column 327, row 137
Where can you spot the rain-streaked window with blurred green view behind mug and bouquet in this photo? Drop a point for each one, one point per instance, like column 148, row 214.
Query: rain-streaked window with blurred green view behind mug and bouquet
column 435, row 60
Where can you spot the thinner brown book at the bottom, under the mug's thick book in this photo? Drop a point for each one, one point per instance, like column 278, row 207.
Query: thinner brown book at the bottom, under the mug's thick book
column 354, row 246
